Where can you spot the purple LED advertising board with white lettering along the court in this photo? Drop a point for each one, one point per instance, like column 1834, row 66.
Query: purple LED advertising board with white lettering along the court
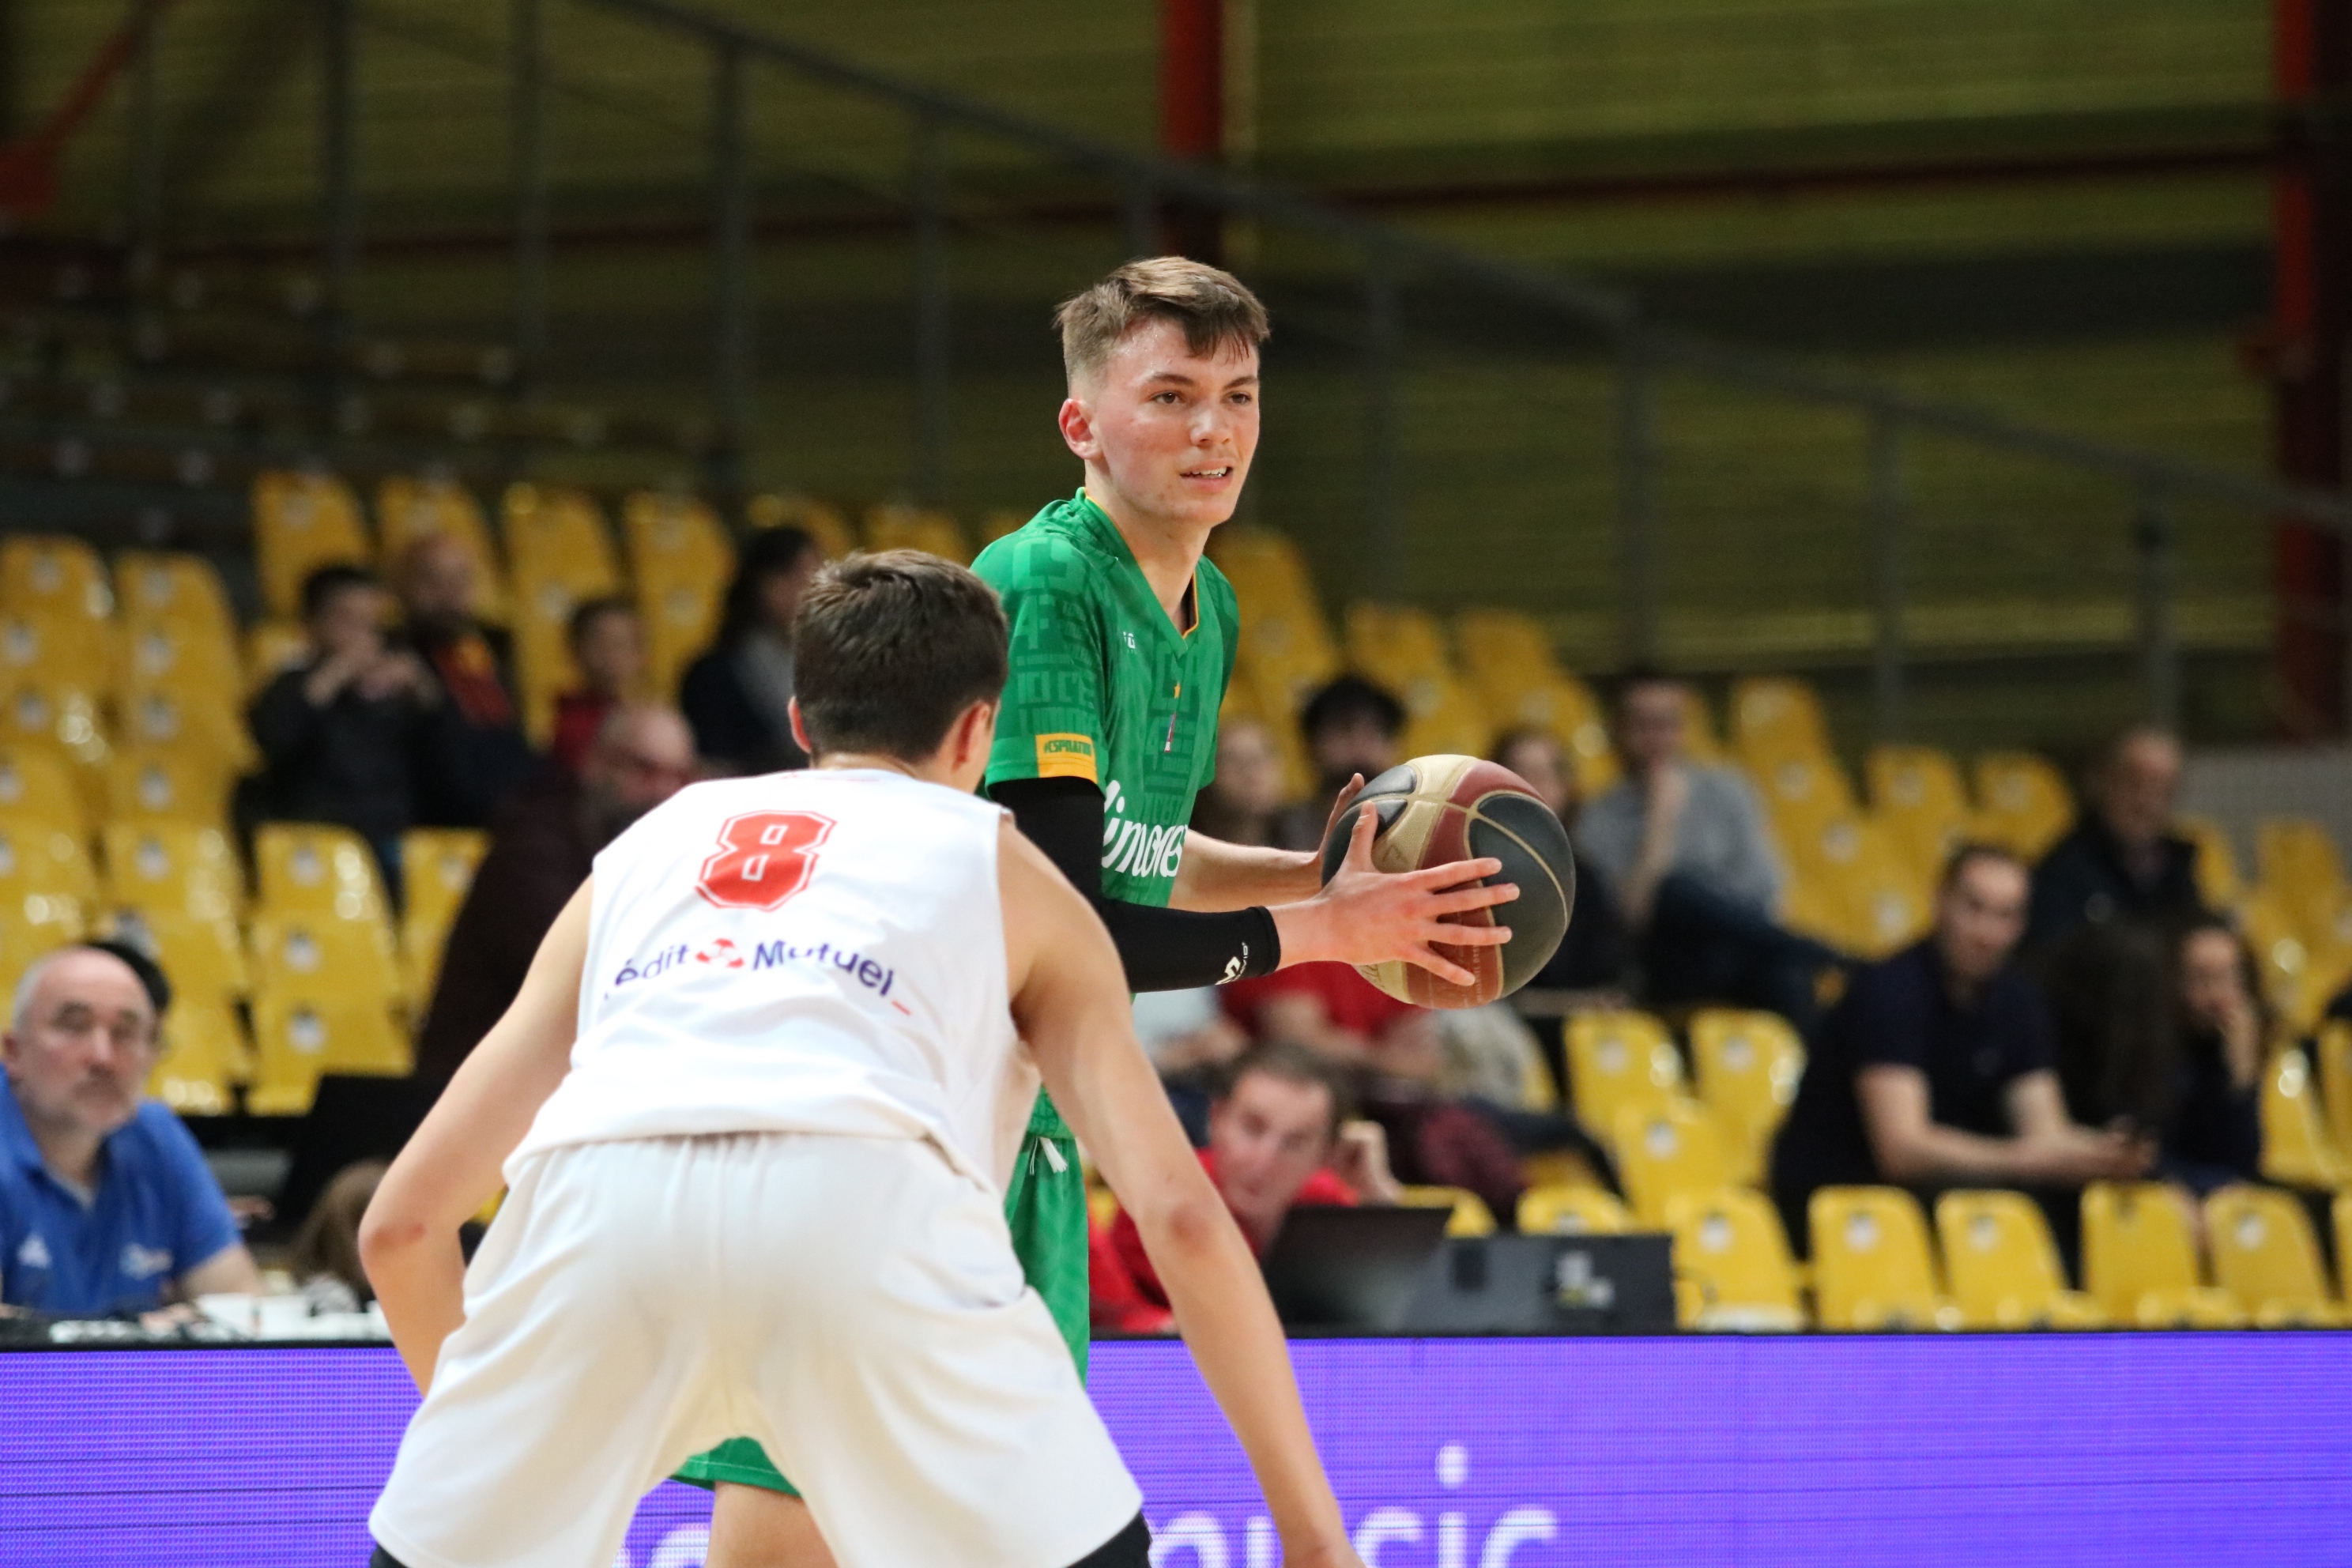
column 1450, row 1454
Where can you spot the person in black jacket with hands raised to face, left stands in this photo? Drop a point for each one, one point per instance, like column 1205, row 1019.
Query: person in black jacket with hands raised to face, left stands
column 359, row 732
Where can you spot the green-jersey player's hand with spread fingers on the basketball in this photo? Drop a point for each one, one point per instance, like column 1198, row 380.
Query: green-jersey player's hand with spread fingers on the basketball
column 1377, row 918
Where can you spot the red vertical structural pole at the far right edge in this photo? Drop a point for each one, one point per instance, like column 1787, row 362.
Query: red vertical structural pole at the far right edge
column 2311, row 321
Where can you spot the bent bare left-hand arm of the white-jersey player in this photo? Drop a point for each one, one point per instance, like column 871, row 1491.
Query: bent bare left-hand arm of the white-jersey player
column 450, row 1167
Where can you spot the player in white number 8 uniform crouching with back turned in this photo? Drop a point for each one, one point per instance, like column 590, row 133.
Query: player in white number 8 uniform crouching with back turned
column 756, row 1106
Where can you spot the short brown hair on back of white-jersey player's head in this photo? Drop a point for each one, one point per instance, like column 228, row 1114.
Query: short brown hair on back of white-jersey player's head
column 890, row 648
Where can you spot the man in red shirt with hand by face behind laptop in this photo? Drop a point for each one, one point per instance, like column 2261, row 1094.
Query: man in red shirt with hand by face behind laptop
column 1278, row 1137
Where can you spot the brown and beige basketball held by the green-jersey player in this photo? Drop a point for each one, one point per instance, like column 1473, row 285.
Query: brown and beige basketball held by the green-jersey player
column 1441, row 810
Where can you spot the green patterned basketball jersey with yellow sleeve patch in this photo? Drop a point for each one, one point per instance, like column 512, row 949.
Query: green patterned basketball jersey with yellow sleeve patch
column 1104, row 688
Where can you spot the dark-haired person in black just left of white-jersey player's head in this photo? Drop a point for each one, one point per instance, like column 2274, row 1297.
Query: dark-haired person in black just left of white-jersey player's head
column 740, row 692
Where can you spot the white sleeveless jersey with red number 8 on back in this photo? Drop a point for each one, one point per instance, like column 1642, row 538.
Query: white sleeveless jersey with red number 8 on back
column 801, row 953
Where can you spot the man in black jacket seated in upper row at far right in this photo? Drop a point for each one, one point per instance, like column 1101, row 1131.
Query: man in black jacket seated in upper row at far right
column 2123, row 862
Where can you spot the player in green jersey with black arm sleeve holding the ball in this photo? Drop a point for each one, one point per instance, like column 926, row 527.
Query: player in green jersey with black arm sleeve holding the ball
column 1123, row 638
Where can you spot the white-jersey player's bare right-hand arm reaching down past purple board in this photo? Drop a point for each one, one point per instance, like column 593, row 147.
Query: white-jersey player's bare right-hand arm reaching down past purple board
column 1071, row 1005
